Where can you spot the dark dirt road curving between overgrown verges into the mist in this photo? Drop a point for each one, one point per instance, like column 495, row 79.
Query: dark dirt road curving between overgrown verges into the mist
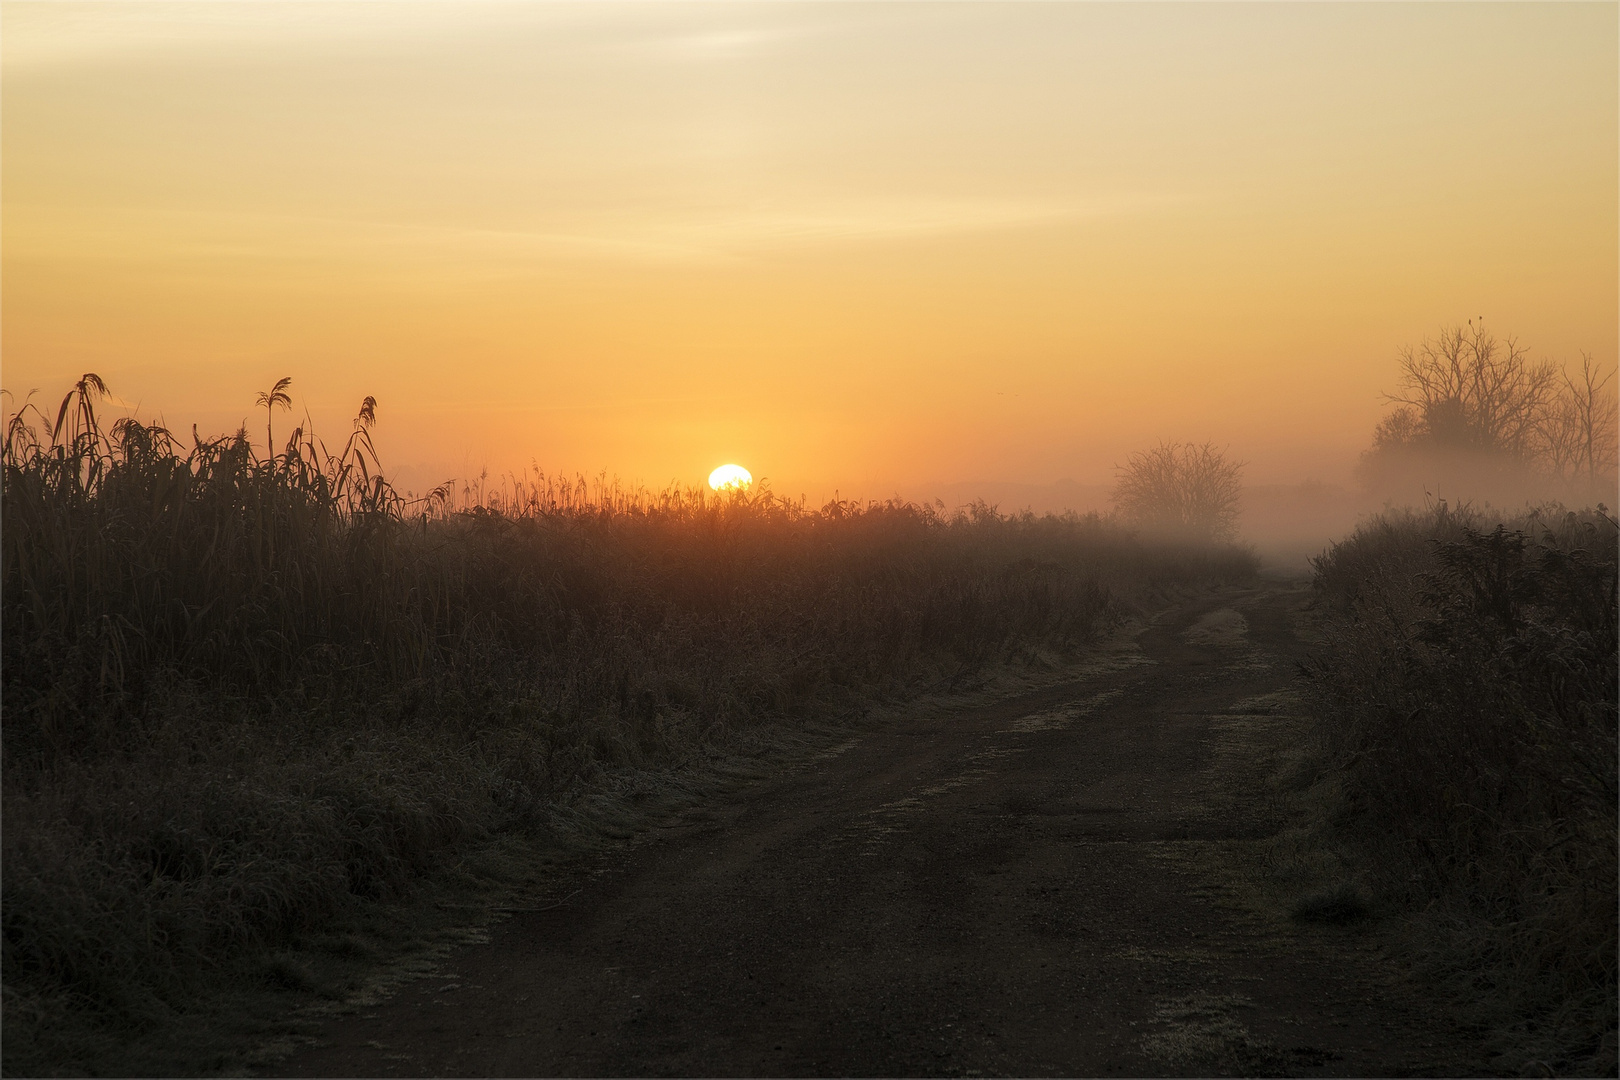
column 1046, row 885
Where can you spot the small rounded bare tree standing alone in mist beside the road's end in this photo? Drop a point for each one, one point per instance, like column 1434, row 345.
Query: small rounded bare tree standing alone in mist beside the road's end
column 1182, row 490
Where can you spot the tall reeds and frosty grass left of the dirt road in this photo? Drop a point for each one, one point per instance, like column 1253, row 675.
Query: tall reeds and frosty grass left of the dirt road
column 245, row 694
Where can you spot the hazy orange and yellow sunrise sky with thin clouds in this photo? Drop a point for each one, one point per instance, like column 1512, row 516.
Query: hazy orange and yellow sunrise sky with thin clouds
column 856, row 249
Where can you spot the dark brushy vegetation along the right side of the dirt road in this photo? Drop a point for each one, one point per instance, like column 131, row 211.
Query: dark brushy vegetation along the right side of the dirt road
column 1467, row 694
